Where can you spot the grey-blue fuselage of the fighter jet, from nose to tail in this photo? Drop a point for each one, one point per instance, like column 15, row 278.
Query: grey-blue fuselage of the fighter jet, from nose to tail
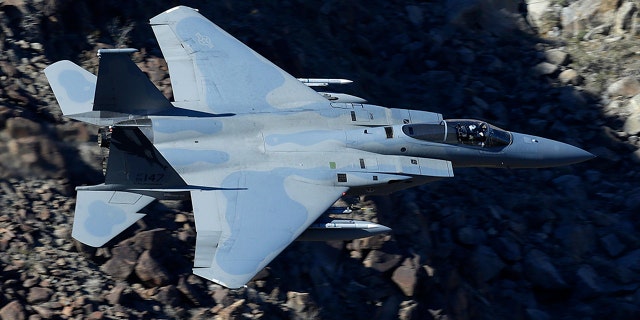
column 369, row 149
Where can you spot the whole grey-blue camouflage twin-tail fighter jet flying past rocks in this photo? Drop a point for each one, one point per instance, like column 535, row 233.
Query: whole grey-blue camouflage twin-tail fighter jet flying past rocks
column 260, row 154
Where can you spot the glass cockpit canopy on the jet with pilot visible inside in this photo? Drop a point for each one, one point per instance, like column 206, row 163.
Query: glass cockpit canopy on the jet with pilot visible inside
column 464, row 131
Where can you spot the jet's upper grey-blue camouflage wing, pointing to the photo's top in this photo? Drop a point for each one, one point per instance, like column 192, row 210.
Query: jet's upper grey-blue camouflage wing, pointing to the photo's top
column 211, row 71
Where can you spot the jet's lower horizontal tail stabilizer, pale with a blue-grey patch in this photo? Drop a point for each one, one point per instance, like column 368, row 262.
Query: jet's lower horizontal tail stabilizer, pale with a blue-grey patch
column 102, row 215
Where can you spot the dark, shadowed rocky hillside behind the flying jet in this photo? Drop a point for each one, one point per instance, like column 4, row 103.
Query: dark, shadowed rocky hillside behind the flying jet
column 488, row 244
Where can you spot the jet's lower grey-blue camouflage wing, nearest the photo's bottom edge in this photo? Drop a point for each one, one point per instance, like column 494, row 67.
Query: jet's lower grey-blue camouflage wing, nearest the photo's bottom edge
column 240, row 231
